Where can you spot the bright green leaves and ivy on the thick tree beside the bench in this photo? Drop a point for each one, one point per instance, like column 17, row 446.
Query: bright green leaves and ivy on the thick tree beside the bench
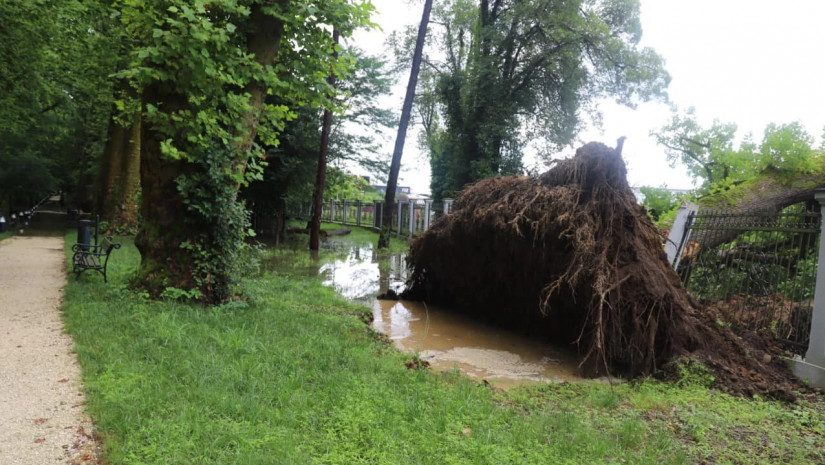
column 206, row 69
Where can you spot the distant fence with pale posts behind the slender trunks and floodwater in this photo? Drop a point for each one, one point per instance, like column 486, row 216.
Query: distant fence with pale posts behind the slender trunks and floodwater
column 410, row 217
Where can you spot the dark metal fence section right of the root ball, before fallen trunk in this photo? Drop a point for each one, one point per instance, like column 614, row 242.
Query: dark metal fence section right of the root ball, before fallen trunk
column 757, row 269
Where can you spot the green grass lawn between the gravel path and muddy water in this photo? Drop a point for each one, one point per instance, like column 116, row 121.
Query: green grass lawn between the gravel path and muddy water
column 296, row 376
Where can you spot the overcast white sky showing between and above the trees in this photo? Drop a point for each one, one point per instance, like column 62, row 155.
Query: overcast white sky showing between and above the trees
column 750, row 62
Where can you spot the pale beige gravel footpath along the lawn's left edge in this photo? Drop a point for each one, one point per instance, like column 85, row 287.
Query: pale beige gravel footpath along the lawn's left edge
column 41, row 398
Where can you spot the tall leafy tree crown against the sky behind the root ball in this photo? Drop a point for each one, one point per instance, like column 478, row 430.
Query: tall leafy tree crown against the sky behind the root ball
column 517, row 68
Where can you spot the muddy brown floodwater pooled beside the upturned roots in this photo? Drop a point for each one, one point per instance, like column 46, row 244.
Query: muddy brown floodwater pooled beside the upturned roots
column 445, row 339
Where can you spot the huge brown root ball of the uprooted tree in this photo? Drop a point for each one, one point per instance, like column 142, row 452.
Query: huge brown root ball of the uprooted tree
column 572, row 258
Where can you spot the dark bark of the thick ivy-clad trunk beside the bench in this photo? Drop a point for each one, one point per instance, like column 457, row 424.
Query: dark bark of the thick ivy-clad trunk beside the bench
column 166, row 221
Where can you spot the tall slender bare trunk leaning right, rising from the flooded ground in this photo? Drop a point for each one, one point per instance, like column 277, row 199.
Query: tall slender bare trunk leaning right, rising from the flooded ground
column 406, row 111
